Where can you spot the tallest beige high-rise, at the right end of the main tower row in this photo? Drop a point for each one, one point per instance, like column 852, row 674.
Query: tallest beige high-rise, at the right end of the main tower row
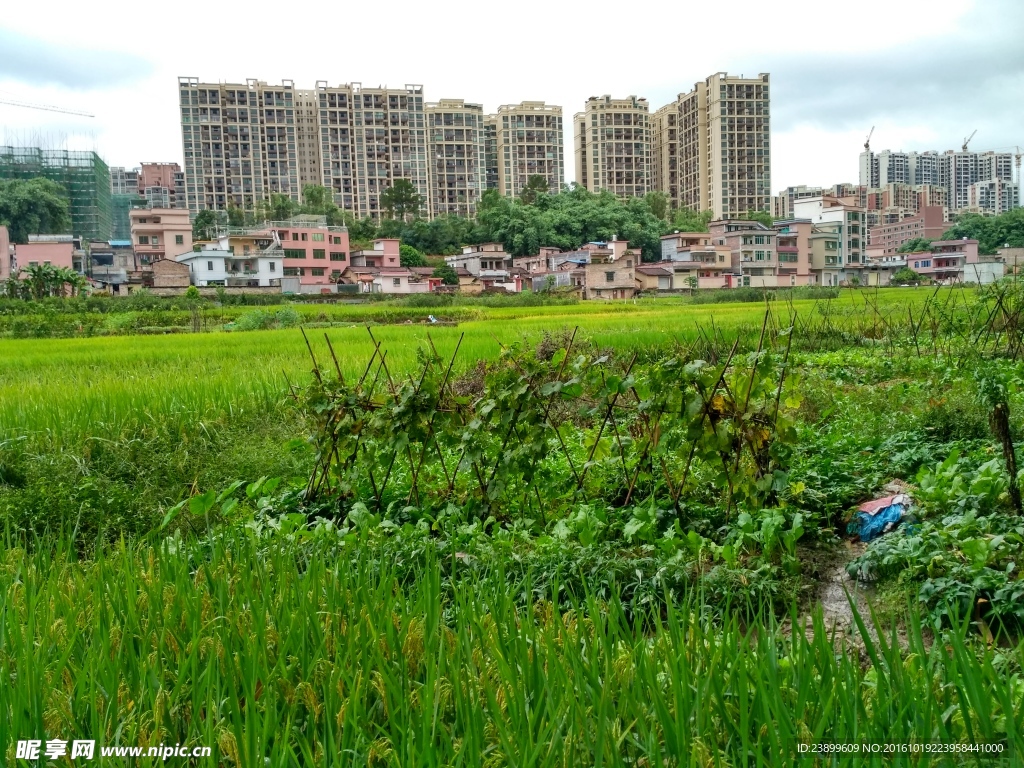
column 724, row 150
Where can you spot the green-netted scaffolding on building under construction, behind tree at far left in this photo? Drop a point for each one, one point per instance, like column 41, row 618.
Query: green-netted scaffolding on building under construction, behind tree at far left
column 83, row 176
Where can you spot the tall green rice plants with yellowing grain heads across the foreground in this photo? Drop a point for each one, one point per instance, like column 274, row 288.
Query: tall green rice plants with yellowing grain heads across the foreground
column 300, row 658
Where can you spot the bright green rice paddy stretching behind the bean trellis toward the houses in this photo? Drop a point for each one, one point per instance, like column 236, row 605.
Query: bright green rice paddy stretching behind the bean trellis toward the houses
column 63, row 390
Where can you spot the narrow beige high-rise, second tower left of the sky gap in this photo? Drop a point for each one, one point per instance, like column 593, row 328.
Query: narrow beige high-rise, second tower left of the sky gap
column 456, row 139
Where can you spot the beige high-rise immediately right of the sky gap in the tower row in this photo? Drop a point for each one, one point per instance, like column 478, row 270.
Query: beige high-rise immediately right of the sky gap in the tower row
column 614, row 146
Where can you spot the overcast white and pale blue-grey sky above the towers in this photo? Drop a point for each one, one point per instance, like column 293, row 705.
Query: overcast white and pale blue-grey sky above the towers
column 925, row 73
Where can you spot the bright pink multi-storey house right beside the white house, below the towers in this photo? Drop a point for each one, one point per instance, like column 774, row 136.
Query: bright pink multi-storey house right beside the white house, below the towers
column 315, row 252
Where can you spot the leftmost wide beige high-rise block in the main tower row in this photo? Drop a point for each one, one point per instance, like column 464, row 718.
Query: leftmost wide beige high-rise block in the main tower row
column 239, row 143
